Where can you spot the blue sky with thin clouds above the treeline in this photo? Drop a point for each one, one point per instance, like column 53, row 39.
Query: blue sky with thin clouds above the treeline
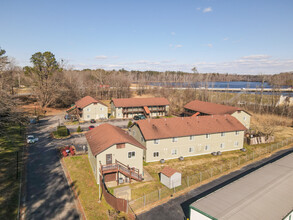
column 225, row 36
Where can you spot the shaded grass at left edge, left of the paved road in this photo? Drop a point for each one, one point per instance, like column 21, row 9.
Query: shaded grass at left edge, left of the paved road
column 10, row 144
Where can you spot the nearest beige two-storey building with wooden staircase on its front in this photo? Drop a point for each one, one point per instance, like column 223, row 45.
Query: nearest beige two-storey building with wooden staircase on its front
column 114, row 154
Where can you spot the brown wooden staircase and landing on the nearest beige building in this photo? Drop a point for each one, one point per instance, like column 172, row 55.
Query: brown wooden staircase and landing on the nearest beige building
column 131, row 173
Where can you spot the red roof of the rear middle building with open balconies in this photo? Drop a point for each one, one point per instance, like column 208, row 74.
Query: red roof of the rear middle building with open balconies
column 140, row 102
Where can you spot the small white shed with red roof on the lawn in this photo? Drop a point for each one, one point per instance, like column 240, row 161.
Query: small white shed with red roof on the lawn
column 170, row 177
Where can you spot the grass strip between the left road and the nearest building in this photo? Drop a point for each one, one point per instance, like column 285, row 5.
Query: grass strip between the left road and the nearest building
column 84, row 182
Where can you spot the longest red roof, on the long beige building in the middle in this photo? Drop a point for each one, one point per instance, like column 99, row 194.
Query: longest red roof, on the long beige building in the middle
column 186, row 126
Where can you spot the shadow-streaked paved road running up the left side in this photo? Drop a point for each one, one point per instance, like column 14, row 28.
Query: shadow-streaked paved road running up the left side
column 48, row 195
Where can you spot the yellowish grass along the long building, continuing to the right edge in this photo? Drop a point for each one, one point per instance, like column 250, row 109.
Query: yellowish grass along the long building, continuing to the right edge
column 192, row 165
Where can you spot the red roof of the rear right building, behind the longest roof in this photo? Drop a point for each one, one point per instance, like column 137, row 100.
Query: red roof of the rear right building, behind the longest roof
column 211, row 108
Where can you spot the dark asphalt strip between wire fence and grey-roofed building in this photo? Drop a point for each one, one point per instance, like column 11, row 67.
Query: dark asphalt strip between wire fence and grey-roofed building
column 178, row 208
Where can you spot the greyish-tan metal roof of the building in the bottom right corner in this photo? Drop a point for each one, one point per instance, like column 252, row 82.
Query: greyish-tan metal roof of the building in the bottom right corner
column 266, row 193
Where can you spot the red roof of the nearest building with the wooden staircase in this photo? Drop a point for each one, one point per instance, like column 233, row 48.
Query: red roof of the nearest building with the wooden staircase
column 104, row 136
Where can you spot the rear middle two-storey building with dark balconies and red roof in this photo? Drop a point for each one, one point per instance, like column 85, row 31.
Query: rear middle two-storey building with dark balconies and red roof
column 149, row 107
